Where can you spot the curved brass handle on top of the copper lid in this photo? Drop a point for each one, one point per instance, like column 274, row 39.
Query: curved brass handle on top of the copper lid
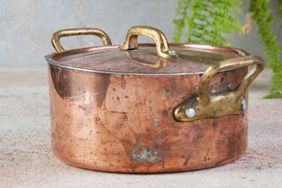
column 154, row 33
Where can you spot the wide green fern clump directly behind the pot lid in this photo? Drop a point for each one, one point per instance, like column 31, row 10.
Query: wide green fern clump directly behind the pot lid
column 206, row 21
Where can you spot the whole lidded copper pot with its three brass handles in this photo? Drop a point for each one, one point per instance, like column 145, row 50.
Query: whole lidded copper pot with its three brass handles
column 148, row 108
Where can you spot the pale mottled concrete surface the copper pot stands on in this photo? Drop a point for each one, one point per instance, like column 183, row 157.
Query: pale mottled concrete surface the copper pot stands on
column 26, row 159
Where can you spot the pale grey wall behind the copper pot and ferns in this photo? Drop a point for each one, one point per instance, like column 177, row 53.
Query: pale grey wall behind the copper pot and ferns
column 27, row 25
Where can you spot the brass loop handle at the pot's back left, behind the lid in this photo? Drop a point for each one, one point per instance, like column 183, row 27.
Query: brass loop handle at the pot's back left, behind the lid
column 78, row 31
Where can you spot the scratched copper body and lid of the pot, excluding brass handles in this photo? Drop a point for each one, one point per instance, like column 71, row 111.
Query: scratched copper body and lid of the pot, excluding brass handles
column 111, row 117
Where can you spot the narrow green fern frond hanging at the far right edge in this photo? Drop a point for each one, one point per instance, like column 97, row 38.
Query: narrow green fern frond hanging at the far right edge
column 262, row 16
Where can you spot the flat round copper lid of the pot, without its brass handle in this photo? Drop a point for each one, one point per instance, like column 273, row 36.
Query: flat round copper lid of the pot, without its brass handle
column 192, row 59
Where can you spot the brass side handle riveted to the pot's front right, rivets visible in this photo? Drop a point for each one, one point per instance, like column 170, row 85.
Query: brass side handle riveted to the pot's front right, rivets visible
column 218, row 105
